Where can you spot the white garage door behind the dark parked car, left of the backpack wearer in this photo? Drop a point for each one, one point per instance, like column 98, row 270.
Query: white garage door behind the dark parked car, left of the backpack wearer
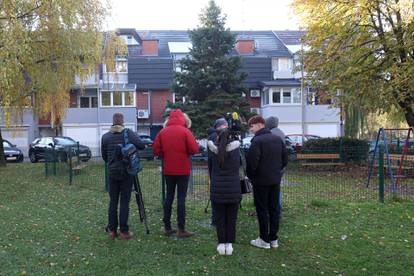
column 85, row 135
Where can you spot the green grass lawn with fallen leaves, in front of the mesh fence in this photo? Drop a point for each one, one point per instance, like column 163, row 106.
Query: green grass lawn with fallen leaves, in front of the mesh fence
column 48, row 227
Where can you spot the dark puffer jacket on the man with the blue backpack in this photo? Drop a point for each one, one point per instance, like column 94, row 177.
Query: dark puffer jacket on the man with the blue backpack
column 111, row 151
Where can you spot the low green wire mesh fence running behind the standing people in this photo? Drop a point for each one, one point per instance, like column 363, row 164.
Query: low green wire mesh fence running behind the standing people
column 310, row 176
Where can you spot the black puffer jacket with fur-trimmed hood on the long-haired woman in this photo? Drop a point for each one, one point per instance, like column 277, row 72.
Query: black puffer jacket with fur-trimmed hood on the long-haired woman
column 225, row 182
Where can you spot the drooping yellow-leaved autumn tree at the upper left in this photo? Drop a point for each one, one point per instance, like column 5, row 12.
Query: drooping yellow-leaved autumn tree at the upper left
column 44, row 45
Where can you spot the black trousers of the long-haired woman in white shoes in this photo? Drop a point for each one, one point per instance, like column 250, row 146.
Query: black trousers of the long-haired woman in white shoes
column 226, row 216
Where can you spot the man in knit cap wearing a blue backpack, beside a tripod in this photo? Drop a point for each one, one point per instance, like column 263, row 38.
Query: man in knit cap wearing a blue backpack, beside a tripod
column 120, row 180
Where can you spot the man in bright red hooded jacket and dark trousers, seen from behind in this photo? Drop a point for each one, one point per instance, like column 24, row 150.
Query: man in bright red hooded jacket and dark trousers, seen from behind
column 175, row 144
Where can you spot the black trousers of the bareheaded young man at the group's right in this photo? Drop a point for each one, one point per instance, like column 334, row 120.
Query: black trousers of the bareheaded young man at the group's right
column 266, row 200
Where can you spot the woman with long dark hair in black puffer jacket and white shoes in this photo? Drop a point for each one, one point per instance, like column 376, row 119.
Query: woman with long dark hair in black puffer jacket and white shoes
column 225, row 190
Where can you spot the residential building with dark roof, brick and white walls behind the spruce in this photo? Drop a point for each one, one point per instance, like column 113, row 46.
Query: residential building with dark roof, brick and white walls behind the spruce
column 140, row 88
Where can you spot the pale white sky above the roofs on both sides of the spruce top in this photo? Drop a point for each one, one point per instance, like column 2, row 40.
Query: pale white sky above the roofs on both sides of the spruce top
column 183, row 14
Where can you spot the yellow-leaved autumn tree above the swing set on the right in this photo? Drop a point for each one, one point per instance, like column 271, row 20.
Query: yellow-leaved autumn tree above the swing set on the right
column 364, row 49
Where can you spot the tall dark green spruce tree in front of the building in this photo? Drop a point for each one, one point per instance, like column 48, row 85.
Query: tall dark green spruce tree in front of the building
column 209, row 78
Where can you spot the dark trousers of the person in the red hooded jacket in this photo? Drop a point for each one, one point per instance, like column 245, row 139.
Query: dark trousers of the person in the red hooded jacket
column 181, row 182
